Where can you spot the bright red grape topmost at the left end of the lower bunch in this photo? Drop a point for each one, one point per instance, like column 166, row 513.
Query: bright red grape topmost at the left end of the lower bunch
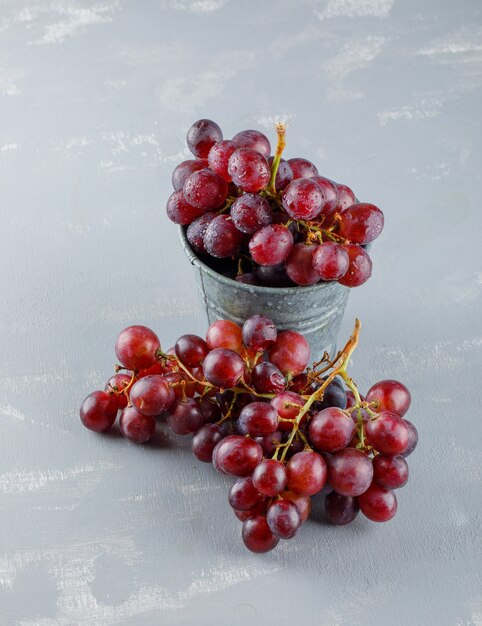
column 136, row 347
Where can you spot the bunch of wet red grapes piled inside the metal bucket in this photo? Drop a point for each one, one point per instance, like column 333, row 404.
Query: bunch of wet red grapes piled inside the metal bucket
column 265, row 221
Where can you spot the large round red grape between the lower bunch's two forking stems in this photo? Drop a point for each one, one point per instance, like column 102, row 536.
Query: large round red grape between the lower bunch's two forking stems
column 331, row 430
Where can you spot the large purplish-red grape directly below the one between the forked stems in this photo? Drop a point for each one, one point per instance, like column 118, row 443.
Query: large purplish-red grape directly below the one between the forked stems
column 350, row 472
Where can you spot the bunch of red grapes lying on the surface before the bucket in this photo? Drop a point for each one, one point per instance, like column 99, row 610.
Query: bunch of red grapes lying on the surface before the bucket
column 255, row 409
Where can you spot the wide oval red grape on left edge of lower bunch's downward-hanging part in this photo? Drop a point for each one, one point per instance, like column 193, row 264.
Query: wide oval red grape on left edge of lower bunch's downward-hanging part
column 237, row 456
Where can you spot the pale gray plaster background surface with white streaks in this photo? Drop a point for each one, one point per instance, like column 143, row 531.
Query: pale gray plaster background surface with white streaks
column 95, row 100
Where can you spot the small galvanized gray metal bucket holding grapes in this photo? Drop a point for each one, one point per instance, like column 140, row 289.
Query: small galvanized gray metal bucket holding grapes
column 316, row 311
